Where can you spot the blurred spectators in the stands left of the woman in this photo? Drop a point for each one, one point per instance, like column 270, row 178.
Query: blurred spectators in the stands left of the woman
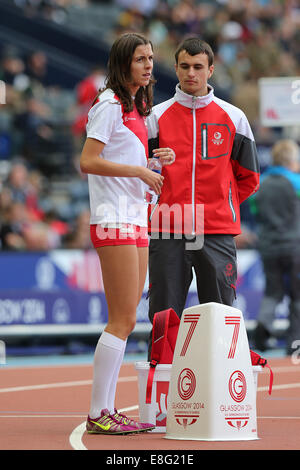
column 43, row 195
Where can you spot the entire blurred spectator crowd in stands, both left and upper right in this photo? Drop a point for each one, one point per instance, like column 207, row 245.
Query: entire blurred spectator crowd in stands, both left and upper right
column 44, row 196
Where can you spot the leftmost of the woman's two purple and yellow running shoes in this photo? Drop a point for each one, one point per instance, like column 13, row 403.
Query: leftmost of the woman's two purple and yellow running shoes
column 107, row 424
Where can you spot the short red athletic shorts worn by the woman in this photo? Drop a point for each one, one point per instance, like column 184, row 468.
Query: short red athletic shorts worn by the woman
column 126, row 234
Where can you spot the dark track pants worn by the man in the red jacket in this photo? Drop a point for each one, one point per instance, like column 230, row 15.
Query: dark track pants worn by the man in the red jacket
column 170, row 272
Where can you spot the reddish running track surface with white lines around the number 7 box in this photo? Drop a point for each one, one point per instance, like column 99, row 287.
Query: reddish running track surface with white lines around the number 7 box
column 45, row 408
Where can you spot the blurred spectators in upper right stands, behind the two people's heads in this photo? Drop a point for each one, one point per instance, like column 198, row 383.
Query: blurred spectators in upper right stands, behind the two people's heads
column 250, row 38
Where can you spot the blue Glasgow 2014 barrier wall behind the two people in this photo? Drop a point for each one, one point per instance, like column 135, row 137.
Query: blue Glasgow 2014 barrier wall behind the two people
column 64, row 287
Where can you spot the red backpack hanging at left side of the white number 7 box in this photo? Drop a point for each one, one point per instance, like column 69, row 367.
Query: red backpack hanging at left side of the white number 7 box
column 164, row 335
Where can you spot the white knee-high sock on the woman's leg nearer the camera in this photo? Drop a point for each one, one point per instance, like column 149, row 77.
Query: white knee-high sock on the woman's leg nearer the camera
column 106, row 359
